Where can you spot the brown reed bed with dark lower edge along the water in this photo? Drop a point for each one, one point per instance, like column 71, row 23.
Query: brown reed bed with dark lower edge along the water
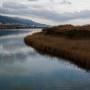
column 76, row 50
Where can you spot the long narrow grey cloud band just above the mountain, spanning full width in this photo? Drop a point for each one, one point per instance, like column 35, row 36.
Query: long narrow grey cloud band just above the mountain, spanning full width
column 46, row 14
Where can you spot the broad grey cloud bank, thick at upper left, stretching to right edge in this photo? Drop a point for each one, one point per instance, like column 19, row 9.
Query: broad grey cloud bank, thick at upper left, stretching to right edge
column 23, row 10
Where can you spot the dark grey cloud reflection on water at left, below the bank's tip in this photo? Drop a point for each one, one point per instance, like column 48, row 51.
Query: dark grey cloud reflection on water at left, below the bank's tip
column 17, row 56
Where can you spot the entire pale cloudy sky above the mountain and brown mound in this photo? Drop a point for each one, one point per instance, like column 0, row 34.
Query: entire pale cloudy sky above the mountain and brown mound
column 48, row 11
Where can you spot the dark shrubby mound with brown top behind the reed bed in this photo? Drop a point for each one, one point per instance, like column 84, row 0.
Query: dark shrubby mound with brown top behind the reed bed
column 69, row 31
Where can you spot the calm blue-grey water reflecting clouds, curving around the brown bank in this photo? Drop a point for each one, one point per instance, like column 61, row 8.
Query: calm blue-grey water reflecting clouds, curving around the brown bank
column 22, row 68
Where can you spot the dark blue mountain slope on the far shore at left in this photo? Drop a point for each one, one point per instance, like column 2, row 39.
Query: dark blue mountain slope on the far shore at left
column 20, row 21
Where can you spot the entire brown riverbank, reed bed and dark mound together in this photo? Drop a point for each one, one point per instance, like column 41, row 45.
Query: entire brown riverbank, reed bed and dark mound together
column 65, row 41
